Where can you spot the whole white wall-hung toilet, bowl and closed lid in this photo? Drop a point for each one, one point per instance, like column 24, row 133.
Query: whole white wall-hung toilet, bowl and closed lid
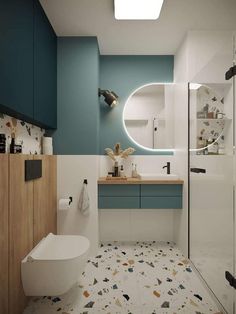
column 55, row 265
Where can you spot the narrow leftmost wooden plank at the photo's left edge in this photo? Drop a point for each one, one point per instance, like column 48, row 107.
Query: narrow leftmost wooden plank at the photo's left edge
column 4, row 192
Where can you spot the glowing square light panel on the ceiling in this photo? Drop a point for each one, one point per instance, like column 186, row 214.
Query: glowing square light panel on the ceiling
column 137, row 9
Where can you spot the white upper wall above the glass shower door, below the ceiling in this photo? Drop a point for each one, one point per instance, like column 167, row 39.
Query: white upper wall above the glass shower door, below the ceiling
column 203, row 57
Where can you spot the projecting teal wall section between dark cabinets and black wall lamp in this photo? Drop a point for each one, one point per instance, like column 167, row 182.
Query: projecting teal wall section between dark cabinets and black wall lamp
column 78, row 105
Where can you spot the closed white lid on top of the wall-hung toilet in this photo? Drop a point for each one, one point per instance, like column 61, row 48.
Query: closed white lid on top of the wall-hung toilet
column 60, row 247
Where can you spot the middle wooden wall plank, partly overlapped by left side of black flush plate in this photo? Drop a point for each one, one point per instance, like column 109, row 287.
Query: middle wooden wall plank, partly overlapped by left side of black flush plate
column 20, row 229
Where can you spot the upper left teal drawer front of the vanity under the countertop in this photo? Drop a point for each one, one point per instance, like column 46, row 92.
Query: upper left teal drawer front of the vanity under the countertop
column 118, row 190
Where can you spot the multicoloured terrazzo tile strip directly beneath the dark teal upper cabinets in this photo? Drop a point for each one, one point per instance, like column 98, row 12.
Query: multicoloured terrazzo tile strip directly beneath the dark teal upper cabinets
column 27, row 135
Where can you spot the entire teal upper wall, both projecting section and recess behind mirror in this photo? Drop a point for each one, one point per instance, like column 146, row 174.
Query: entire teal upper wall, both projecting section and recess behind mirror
column 85, row 124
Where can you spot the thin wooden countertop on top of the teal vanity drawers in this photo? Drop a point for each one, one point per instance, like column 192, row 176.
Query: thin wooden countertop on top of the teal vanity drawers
column 103, row 180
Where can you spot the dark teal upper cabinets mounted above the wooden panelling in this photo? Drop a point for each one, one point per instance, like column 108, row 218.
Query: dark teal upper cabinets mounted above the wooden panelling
column 28, row 63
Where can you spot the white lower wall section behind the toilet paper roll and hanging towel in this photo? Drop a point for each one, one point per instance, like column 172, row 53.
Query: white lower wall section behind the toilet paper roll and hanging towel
column 72, row 170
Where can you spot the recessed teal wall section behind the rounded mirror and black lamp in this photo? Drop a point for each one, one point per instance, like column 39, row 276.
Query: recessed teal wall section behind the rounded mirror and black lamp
column 123, row 75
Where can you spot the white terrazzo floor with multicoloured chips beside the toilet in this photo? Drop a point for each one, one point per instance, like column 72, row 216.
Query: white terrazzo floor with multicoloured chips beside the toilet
column 135, row 278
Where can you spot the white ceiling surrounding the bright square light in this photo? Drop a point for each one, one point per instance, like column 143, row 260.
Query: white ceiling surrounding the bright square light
column 117, row 37
